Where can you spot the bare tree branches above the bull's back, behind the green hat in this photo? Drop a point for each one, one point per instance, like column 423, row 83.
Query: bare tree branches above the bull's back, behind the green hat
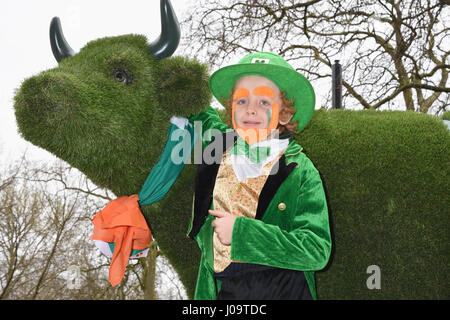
column 395, row 54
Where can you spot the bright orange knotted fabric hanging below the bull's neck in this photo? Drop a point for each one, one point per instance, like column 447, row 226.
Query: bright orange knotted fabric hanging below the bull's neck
column 123, row 223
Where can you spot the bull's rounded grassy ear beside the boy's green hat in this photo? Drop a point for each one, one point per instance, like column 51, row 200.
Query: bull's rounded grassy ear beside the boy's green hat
column 183, row 86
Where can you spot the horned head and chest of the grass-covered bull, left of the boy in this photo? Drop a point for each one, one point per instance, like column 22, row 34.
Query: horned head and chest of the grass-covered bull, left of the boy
column 106, row 110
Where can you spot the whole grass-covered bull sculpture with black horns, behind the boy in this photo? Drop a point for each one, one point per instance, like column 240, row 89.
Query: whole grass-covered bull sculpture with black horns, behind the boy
column 106, row 110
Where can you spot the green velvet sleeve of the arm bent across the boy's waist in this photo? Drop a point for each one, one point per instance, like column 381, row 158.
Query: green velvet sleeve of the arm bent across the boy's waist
column 306, row 247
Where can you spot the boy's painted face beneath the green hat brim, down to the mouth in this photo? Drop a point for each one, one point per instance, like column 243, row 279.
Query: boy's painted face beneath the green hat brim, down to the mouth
column 256, row 103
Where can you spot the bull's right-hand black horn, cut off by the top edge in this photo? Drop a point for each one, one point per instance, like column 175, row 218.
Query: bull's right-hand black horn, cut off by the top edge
column 169, row 39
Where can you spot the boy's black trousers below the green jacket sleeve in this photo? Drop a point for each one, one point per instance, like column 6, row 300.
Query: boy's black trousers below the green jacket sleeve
column 264, row 283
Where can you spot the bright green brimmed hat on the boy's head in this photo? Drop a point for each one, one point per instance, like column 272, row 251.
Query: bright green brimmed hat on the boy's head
column 274, row 68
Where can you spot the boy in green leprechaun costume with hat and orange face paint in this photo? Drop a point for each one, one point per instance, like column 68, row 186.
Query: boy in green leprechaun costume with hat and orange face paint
column 260, row 215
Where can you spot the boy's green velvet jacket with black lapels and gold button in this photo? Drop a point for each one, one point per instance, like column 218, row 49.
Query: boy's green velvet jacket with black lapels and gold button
column 291, row 227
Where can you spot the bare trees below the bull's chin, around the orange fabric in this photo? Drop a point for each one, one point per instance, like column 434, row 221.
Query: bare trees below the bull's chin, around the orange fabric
column 45, row 226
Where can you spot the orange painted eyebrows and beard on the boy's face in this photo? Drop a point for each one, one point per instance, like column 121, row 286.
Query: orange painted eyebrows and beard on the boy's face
column 253, row 135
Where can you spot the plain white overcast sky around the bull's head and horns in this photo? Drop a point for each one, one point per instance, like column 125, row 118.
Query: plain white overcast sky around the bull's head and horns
column 25, row 46
